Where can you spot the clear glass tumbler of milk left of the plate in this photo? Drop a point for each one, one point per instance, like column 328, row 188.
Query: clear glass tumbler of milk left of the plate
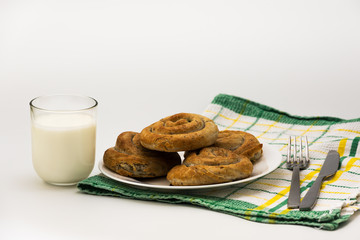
column 63, row 132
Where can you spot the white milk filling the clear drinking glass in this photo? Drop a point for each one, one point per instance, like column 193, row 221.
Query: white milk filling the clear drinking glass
column 63, row 147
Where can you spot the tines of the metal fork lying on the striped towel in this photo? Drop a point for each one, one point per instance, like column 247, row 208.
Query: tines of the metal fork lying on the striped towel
column 298, row 153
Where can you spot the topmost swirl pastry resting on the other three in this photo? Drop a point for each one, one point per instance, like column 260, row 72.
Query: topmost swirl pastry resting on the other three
column 179, row 132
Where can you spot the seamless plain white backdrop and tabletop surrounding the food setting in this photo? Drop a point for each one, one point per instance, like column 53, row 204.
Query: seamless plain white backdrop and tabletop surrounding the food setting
column 144, row 60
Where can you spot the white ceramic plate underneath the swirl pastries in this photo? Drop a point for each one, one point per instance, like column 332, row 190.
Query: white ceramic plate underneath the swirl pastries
column 270, row 160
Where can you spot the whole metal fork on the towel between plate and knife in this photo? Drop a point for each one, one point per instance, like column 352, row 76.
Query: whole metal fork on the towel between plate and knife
column 297, row 159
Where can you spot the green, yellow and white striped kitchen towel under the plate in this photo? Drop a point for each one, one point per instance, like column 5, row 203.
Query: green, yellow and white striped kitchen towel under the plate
column 265, row 200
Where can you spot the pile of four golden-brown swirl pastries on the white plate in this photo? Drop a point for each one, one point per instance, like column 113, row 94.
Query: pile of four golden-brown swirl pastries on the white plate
column 210, row 156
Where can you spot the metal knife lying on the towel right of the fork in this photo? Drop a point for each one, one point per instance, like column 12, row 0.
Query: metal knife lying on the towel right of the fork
column 329, row 168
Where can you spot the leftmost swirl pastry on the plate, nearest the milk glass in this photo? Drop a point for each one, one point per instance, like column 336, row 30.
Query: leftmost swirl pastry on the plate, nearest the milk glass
column 130, row 158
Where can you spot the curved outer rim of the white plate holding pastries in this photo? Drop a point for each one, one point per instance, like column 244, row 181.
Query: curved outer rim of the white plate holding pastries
column 138, row 184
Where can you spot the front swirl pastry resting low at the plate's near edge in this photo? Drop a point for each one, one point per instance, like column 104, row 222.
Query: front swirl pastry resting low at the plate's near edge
column 210, row 165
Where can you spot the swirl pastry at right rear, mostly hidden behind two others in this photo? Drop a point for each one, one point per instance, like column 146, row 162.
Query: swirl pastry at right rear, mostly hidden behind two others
column 240, row 142
